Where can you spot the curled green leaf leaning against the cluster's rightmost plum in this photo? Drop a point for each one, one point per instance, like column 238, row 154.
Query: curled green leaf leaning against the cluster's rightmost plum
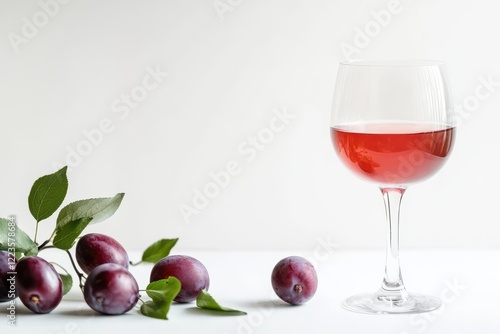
column 162, row 294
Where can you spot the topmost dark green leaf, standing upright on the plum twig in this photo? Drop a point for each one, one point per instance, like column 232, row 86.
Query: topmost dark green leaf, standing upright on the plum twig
column 47, row 194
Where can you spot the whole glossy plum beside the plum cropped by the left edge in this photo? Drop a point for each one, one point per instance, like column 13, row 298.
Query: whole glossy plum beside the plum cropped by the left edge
column 38, row 284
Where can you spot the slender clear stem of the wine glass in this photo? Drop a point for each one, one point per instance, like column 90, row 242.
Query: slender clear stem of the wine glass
column 392, row 287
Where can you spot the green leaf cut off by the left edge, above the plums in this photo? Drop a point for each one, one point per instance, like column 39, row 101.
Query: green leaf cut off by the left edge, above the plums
column 15, row 240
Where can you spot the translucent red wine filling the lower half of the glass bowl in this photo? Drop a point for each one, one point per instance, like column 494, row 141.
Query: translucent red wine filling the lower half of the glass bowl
column 393, row 153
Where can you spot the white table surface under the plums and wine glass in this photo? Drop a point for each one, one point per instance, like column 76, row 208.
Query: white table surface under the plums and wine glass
column 468, row 279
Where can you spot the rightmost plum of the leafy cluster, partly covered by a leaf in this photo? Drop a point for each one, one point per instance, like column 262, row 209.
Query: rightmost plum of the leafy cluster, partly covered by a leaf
column 189, row 271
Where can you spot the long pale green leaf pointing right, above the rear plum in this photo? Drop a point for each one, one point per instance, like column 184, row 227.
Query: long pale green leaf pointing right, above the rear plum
column 98, row 209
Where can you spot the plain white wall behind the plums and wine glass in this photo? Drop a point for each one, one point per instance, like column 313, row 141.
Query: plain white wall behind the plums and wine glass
column 228, row 69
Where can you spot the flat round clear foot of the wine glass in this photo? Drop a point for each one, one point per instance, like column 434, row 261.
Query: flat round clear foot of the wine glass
column 375, row 304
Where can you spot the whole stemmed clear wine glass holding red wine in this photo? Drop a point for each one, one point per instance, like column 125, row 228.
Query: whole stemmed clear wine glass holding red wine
column 391, row 124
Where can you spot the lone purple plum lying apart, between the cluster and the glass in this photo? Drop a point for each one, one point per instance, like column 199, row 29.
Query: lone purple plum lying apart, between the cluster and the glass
column 294, row 280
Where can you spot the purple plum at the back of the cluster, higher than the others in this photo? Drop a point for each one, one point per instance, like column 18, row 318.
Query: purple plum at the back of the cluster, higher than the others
column 94, row 249
